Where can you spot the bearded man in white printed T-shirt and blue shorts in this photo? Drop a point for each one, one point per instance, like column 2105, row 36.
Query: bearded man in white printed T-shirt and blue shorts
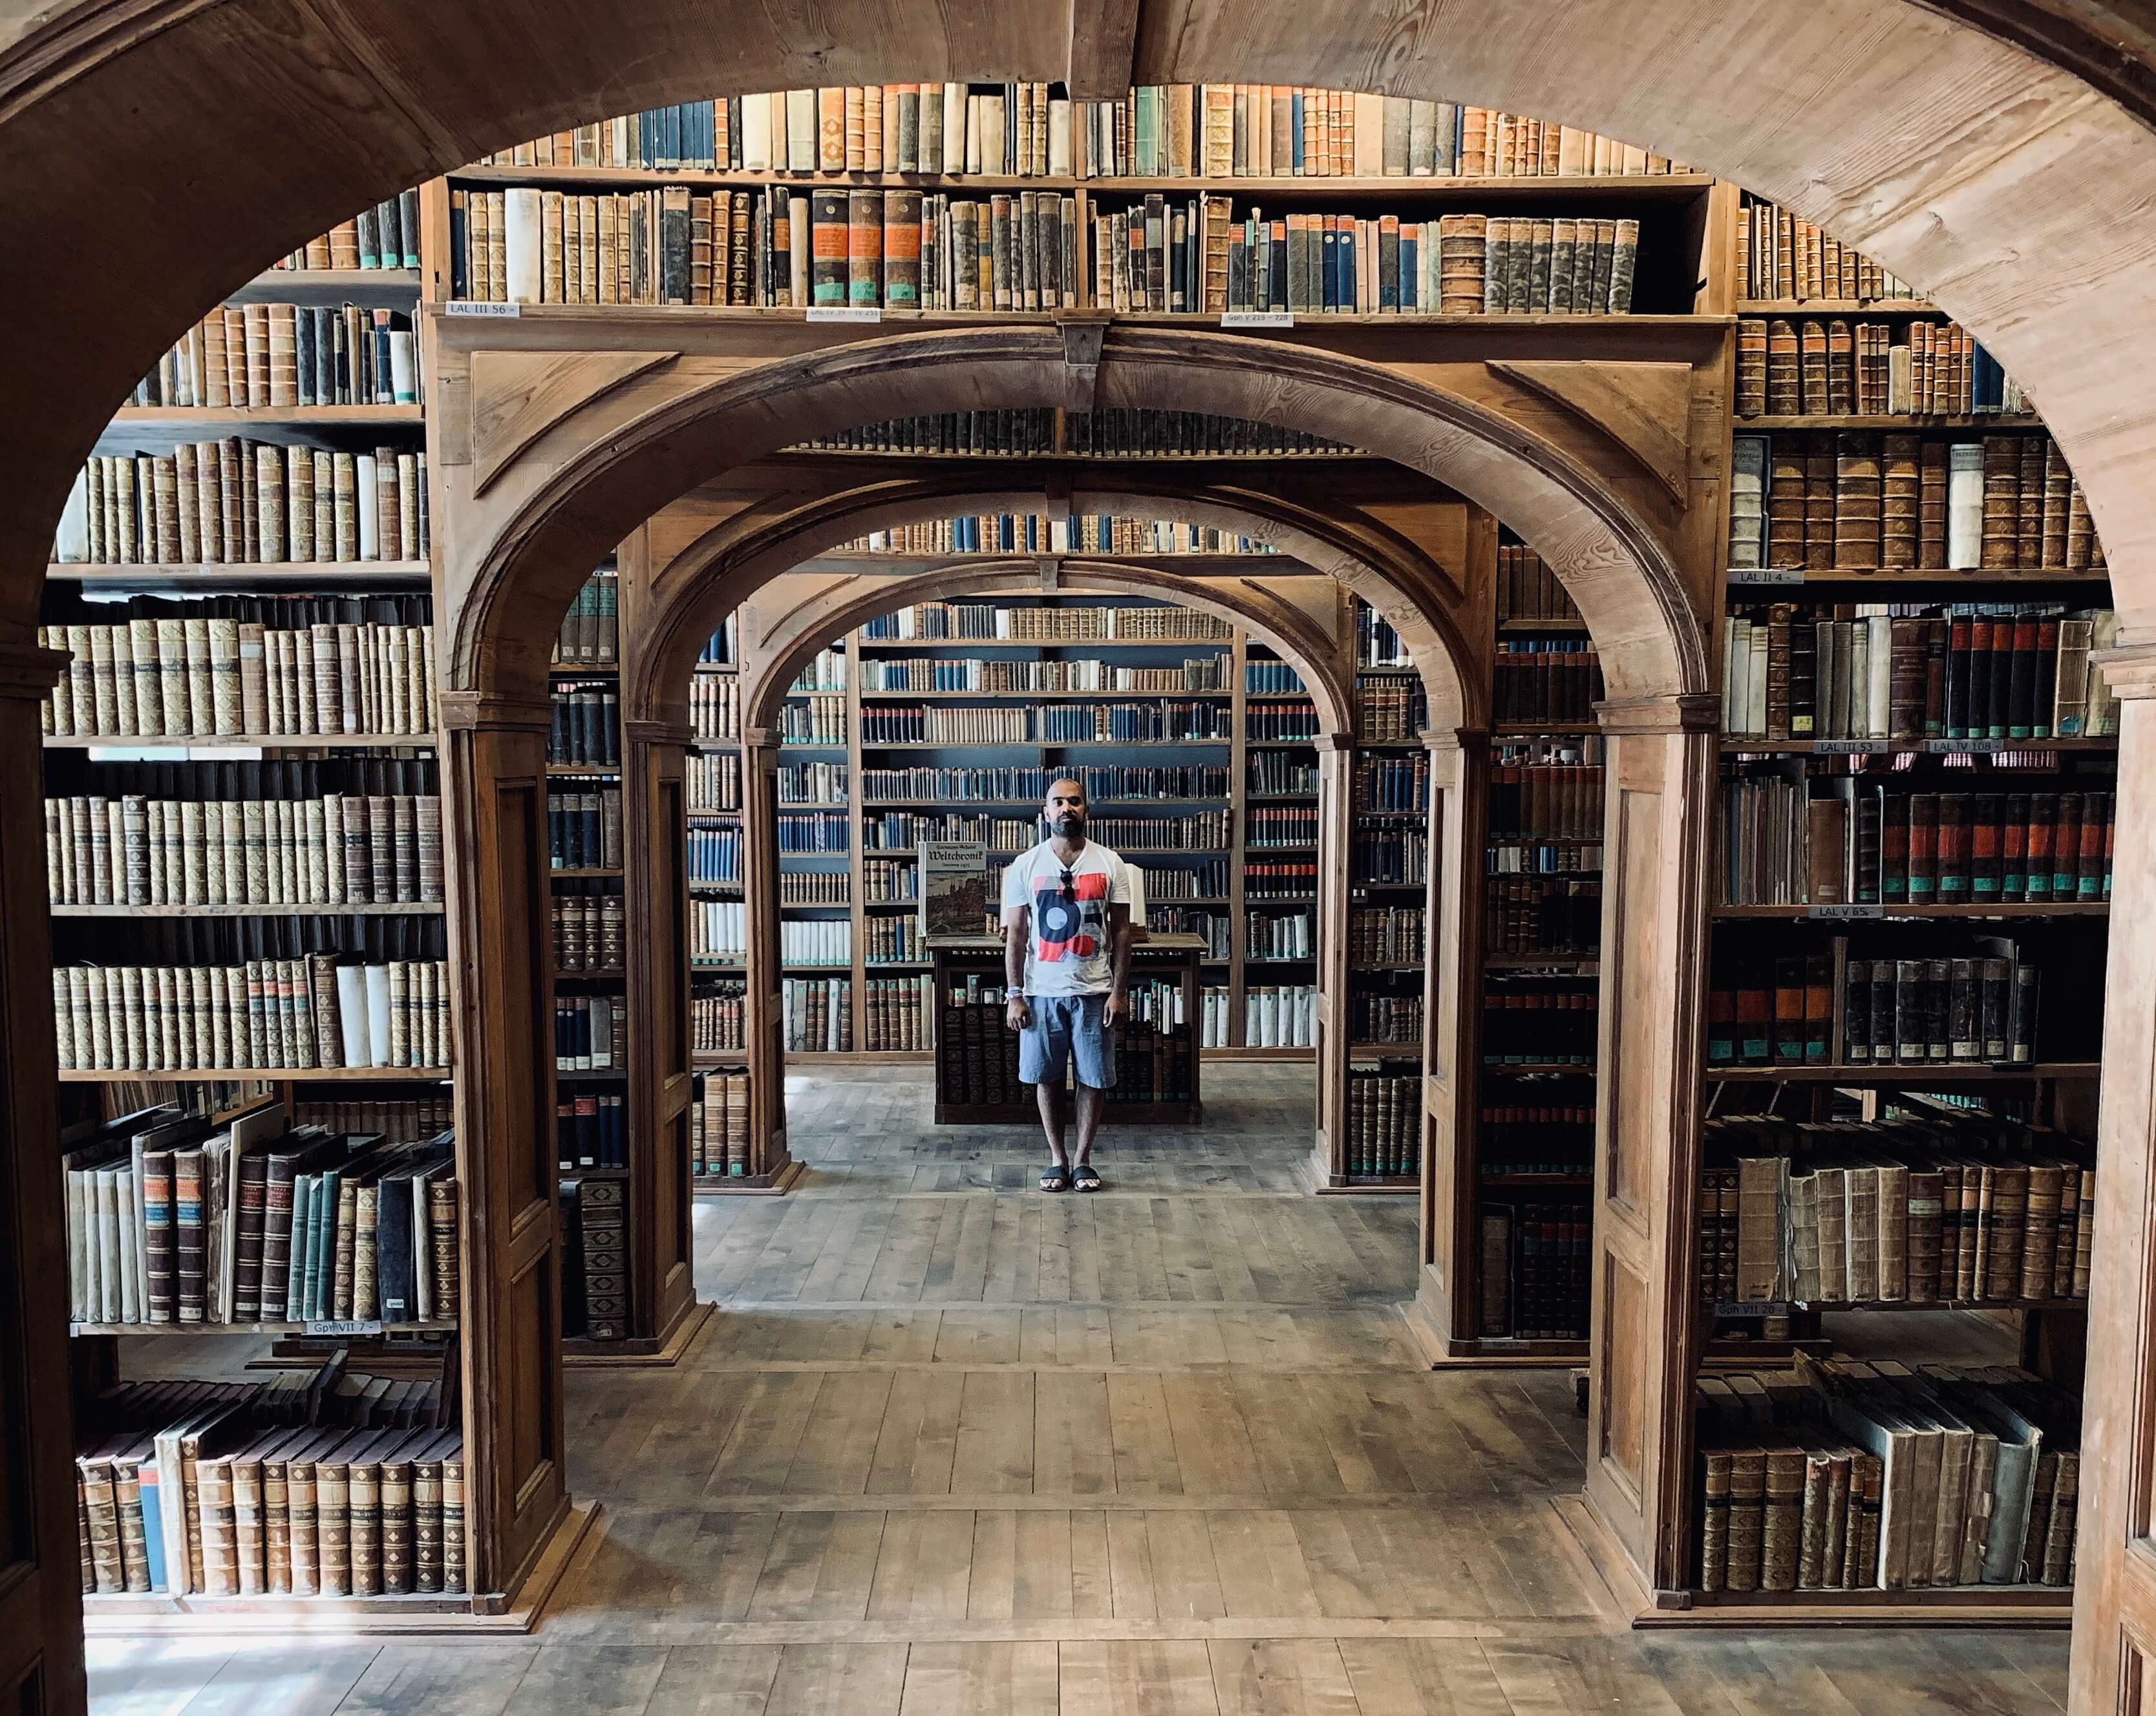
column 1066, row 960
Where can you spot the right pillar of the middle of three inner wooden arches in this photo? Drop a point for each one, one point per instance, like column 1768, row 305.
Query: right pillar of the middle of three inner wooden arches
column 1446, row 1307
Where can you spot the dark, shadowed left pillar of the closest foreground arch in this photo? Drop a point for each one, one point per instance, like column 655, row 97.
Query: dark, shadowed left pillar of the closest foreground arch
column 40, row 1570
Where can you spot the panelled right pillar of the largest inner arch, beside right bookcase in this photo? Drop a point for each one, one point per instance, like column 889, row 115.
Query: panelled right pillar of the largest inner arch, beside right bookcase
column 1659, row 848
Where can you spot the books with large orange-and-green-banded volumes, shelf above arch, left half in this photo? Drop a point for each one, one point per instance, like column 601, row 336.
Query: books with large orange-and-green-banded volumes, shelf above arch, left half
column 894, row 249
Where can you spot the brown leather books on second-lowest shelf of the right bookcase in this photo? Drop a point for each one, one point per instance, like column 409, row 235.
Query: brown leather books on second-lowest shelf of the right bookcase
column 1937, row 1206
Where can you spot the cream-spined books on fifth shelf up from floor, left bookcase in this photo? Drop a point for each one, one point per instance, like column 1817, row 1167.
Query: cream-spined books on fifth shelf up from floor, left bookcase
column 260, row 667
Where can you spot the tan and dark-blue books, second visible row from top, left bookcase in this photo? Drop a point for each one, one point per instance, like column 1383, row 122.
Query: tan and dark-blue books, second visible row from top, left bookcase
column 273, row 357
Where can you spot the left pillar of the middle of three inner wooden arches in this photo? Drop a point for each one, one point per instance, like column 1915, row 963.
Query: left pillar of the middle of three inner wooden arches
column 661, row 1072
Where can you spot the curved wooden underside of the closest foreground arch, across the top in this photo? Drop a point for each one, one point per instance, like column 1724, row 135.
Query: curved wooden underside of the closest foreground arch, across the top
column 158, row 152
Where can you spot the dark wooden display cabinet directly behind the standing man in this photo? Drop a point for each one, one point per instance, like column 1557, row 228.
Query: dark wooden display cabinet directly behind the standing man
column 978, row 1053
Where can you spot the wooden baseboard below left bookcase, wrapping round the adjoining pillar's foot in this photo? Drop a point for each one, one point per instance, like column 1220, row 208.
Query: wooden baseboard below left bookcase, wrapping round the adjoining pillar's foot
column 115, row 1616
